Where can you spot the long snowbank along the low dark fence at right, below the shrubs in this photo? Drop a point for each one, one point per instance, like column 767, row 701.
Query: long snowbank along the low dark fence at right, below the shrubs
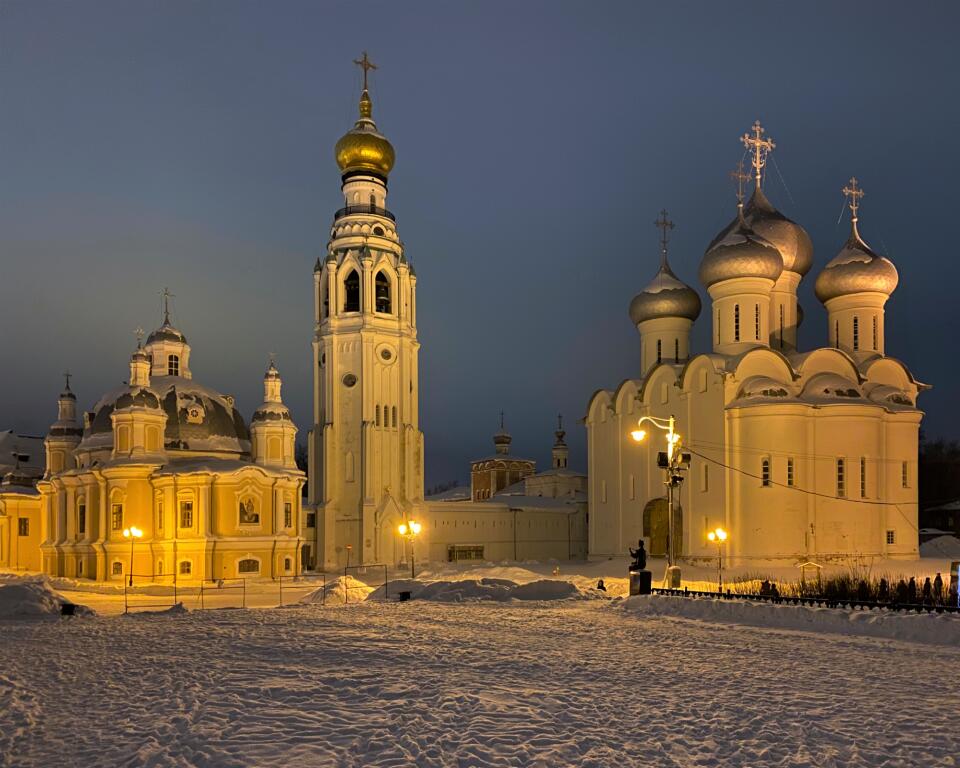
column 934, row 628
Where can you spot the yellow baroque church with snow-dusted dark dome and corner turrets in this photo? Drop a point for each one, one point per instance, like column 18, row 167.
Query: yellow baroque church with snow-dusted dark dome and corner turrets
column 163, row 479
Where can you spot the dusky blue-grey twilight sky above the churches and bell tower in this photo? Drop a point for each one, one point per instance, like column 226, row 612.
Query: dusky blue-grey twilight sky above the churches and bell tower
column 190, row 144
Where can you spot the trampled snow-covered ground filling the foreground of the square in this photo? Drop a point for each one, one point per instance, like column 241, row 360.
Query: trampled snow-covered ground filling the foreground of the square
column 498, row 670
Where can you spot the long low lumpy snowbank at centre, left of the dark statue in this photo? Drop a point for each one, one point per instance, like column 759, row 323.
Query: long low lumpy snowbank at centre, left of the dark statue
column 495, row 589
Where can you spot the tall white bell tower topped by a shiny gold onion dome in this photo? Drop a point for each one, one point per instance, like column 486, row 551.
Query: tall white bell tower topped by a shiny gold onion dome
column 366, row 448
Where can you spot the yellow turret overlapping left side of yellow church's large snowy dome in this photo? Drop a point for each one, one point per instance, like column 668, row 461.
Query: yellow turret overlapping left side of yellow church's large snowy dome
column 138, row 418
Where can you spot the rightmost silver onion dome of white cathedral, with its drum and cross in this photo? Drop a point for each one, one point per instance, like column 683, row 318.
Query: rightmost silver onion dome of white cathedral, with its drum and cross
column 854, row 287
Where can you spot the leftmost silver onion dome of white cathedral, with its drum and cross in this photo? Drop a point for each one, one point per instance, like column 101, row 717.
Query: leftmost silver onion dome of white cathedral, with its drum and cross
column 664, row 311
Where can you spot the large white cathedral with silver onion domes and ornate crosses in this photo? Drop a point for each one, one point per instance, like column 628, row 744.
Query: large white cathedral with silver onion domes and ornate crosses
column 798, row 454
